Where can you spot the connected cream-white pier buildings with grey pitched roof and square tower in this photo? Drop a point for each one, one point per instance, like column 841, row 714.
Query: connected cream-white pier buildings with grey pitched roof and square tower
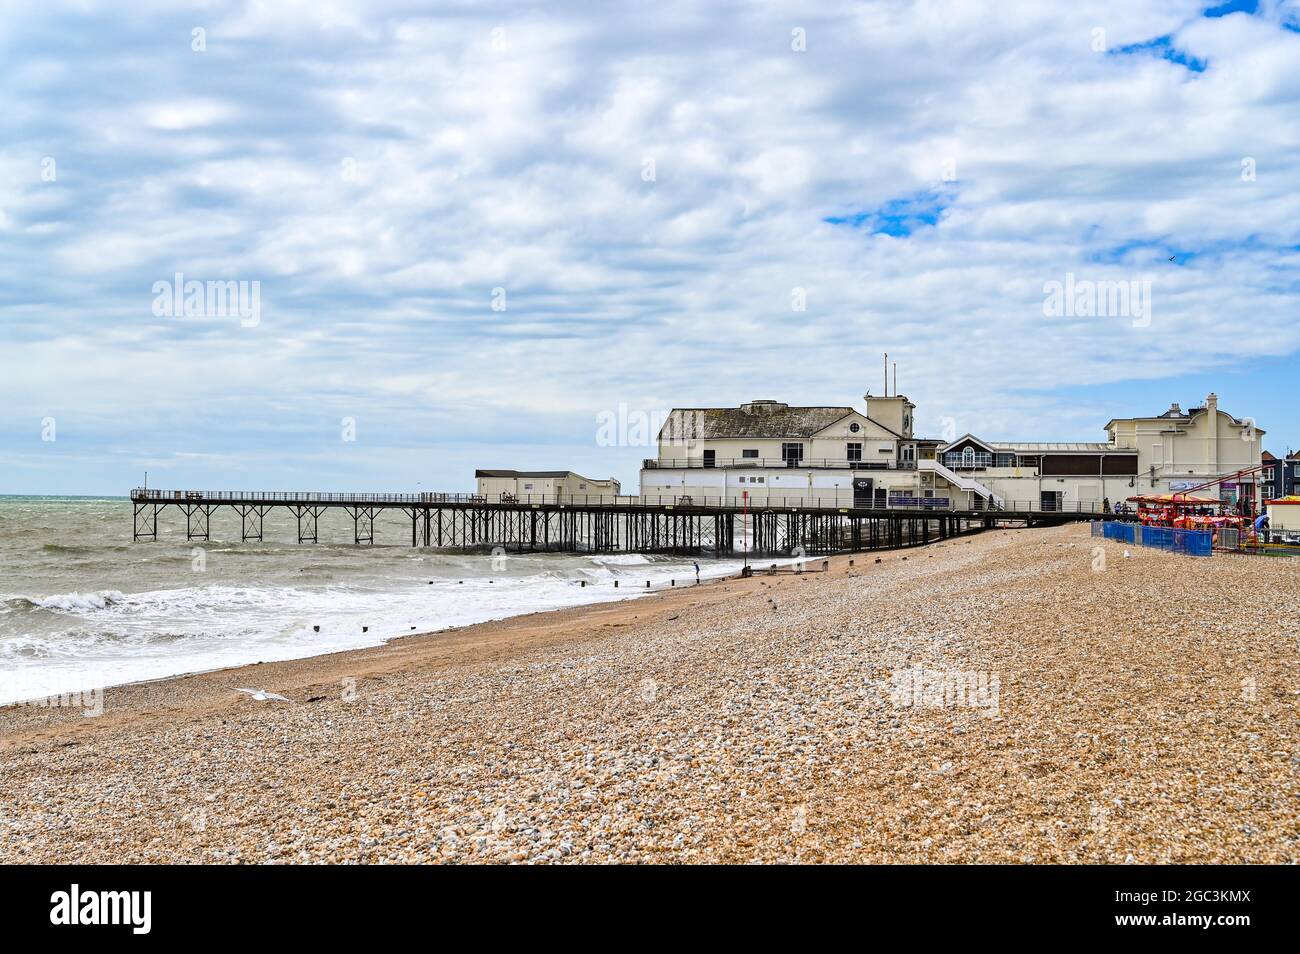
column 839, row 456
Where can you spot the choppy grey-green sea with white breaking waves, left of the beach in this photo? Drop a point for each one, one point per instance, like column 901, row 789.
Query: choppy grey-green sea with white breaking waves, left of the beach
column 84, row 608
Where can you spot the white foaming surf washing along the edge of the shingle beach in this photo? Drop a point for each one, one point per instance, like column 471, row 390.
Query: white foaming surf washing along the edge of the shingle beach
column 110, row 638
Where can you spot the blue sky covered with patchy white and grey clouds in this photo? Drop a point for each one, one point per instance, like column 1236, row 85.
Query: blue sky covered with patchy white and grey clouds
column 474, row 235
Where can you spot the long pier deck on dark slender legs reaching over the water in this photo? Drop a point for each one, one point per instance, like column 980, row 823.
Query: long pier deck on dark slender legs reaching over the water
column 722, row 527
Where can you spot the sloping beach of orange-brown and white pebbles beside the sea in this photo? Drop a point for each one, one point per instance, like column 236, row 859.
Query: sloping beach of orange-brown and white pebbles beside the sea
column 1016, row 696
